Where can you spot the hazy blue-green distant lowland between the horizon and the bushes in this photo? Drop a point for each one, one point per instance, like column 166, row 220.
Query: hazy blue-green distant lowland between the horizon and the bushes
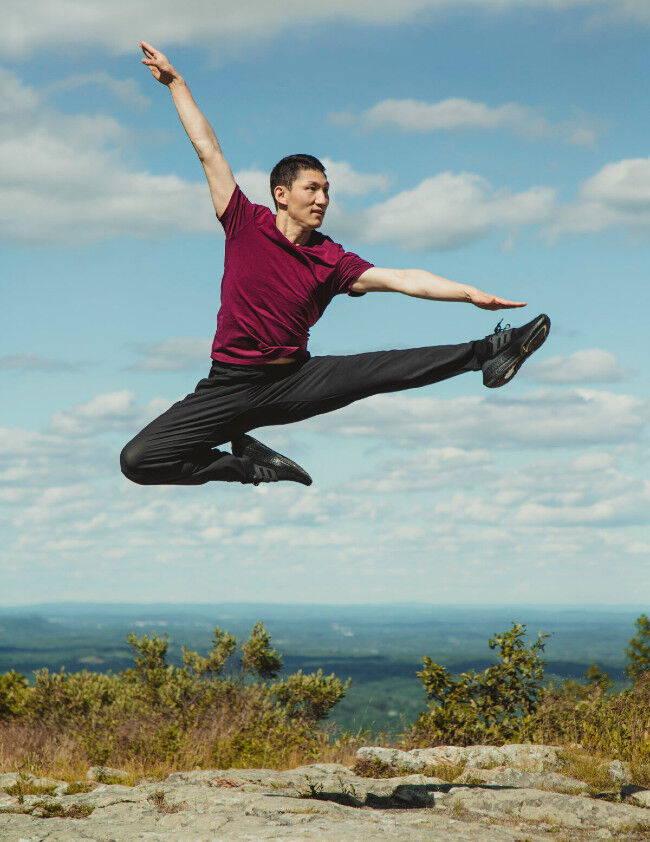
column 379, row 647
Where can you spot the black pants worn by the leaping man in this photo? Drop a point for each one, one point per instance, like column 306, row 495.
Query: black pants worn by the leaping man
column 177, row 447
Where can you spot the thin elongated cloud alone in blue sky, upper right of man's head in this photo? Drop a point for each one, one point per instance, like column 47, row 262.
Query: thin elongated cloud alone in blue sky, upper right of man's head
column 452, row 114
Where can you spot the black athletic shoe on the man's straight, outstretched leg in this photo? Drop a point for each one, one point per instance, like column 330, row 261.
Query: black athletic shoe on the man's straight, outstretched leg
column 507, row 348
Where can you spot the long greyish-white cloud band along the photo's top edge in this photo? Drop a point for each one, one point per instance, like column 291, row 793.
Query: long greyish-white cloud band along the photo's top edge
column 226, row 28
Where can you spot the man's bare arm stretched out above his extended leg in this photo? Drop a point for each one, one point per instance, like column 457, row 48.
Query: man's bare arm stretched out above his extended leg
column 422, row 284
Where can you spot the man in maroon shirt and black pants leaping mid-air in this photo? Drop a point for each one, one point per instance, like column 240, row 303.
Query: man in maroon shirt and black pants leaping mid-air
column 279, row 275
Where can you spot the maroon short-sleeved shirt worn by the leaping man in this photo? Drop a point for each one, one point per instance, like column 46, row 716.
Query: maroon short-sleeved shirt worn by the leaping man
column 273, row 290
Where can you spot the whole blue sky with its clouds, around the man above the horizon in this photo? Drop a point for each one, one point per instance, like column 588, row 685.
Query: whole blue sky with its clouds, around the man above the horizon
column 504, row 144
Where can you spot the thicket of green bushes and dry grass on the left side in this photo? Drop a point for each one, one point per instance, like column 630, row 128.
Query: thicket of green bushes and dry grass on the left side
column 156, row 714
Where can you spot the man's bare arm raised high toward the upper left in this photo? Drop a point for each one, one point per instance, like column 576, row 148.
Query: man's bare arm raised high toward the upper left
column 217, row 170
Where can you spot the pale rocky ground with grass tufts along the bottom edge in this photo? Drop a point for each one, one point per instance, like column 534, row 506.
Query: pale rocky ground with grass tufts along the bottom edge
column 483, row 794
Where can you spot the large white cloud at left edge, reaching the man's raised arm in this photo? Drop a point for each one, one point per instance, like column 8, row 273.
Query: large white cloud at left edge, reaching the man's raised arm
column 63, row 180
